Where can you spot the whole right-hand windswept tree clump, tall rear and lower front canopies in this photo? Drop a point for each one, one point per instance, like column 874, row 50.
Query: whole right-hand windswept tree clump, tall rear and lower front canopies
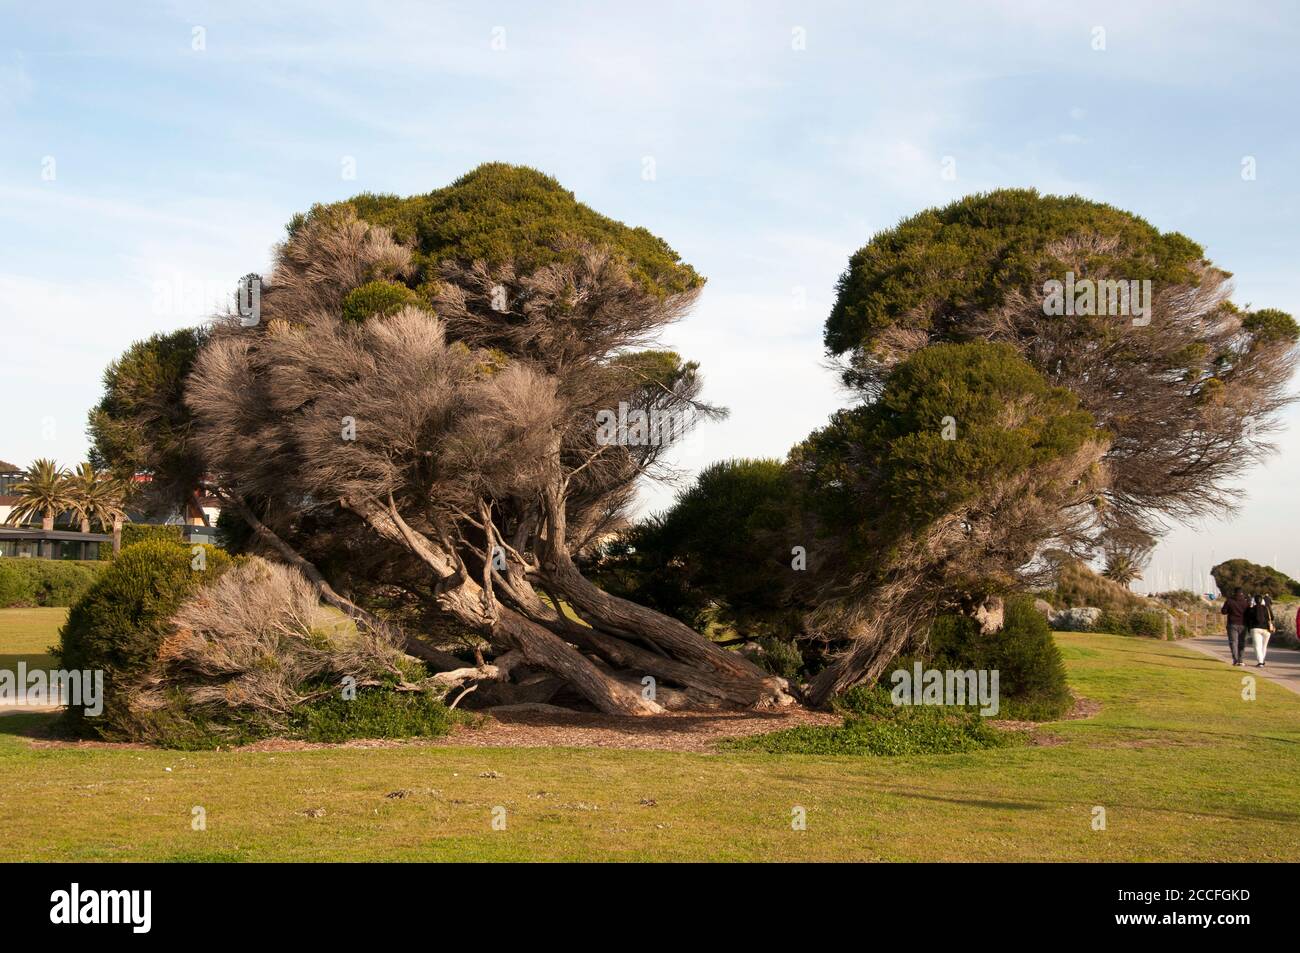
column 1184, row 389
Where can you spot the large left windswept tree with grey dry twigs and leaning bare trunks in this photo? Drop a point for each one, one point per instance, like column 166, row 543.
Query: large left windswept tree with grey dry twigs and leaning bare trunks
column 422, row 419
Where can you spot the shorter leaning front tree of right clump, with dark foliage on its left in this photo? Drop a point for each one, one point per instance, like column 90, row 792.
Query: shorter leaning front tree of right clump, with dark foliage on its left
column 886, row 518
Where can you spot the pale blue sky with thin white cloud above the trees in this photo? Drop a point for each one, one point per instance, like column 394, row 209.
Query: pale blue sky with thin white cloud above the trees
column 151, row 155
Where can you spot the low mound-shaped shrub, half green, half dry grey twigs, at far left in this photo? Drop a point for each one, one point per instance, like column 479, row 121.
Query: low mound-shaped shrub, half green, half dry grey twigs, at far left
column 248, row 655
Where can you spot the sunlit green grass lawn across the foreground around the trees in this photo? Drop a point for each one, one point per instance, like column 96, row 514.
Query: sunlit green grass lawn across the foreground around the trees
column 1185, row 769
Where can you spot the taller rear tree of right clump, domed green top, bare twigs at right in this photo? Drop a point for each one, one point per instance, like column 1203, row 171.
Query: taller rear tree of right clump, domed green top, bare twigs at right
column 1136, row 323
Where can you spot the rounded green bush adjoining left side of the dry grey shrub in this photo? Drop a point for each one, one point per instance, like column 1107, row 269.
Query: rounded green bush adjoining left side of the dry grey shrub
column 122, row 621
